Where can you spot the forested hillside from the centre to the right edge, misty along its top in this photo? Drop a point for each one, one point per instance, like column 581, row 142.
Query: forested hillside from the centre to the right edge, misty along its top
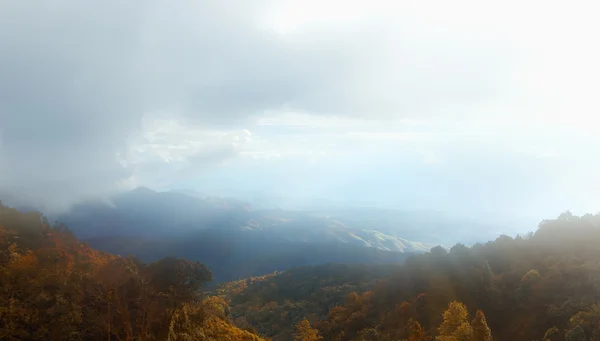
column 544, row 286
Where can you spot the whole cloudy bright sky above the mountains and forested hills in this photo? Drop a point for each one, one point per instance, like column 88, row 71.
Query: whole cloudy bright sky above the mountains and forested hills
column 463, row 106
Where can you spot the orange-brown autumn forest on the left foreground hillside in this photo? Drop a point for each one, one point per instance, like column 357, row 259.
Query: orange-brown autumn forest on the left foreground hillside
column 53, row 287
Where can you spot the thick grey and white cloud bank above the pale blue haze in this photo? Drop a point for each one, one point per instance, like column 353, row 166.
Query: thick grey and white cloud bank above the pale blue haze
column 79, row 78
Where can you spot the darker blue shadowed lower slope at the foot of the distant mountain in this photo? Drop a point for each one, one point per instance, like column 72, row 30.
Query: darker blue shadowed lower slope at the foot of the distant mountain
column 232, row 257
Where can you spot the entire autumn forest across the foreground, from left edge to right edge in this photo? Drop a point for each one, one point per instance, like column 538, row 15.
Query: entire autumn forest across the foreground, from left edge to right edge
column 542, row 286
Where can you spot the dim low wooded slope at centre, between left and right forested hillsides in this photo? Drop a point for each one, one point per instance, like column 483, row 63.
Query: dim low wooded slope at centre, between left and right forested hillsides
column 272, row 303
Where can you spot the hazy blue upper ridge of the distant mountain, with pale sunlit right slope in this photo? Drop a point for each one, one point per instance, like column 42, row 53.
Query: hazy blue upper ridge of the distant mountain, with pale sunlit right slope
column 155, row 214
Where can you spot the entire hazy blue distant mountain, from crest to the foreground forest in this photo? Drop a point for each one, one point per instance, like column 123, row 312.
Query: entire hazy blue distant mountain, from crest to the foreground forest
column 226, row 234
